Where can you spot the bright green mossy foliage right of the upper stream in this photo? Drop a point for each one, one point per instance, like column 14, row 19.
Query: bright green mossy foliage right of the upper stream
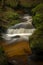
column 38, row 15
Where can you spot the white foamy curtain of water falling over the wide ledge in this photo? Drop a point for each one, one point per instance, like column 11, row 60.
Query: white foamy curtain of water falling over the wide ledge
column 20, row 31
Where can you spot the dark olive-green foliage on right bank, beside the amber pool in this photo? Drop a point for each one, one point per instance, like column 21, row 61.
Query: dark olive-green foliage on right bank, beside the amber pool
column 36, row 40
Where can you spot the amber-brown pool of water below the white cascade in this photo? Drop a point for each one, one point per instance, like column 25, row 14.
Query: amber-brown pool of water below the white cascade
column 17, row 55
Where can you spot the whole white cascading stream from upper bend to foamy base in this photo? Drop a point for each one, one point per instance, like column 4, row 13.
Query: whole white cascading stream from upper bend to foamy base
column 23, row 29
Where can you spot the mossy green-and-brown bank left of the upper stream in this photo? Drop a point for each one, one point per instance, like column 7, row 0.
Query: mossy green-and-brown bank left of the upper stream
column 10, row 18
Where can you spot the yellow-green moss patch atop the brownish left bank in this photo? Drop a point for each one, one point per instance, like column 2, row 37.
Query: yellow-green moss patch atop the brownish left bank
column 10, row 15
